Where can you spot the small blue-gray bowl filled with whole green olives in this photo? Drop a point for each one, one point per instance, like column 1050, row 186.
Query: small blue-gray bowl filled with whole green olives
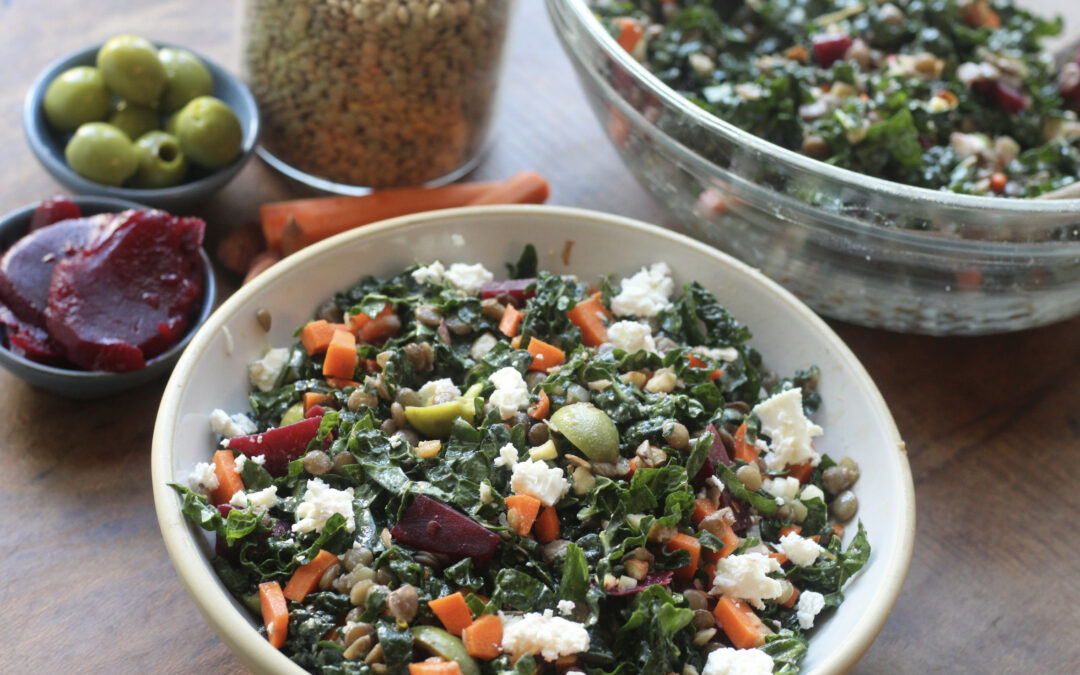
column 153, row 124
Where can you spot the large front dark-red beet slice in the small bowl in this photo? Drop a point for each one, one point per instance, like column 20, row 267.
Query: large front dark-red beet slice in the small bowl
column 130, row 295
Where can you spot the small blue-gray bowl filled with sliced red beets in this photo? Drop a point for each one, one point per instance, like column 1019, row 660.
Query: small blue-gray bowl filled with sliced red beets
column 99, row 295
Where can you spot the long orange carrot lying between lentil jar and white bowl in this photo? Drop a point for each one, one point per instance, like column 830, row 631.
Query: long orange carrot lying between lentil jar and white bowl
column 326, row 217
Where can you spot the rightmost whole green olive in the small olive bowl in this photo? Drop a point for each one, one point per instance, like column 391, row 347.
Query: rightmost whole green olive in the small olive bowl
column 209, row 132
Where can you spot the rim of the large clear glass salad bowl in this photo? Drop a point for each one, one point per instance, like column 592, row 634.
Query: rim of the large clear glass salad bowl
column 1023, row 207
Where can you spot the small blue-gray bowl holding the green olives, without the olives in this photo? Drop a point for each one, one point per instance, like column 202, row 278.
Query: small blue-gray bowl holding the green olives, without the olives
column 48, row 144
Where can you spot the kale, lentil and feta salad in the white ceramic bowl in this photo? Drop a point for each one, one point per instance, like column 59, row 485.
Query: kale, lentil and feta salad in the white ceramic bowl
column 453, row 475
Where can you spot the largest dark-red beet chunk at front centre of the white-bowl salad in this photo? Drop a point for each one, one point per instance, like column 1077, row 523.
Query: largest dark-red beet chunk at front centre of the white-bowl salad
column 433, row 526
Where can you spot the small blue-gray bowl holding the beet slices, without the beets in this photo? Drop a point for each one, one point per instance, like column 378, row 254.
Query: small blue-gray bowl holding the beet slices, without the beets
column 86, row 384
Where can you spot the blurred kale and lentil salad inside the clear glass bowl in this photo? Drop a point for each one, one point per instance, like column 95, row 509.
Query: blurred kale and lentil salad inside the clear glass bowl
column 944, row 94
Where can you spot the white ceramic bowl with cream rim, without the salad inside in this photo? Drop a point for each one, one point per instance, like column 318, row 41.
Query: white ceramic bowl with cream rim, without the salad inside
column 212, row 373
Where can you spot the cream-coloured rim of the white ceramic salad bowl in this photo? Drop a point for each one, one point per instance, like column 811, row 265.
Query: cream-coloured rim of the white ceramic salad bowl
column 236, row 630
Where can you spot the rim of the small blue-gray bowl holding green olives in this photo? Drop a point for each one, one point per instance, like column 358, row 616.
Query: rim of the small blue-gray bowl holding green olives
column 38, row 138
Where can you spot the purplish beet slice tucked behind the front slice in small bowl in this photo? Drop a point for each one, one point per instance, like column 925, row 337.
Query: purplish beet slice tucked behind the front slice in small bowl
column 26, row 269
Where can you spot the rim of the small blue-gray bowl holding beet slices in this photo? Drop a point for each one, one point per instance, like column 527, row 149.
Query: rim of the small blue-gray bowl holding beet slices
column 207, row 305
